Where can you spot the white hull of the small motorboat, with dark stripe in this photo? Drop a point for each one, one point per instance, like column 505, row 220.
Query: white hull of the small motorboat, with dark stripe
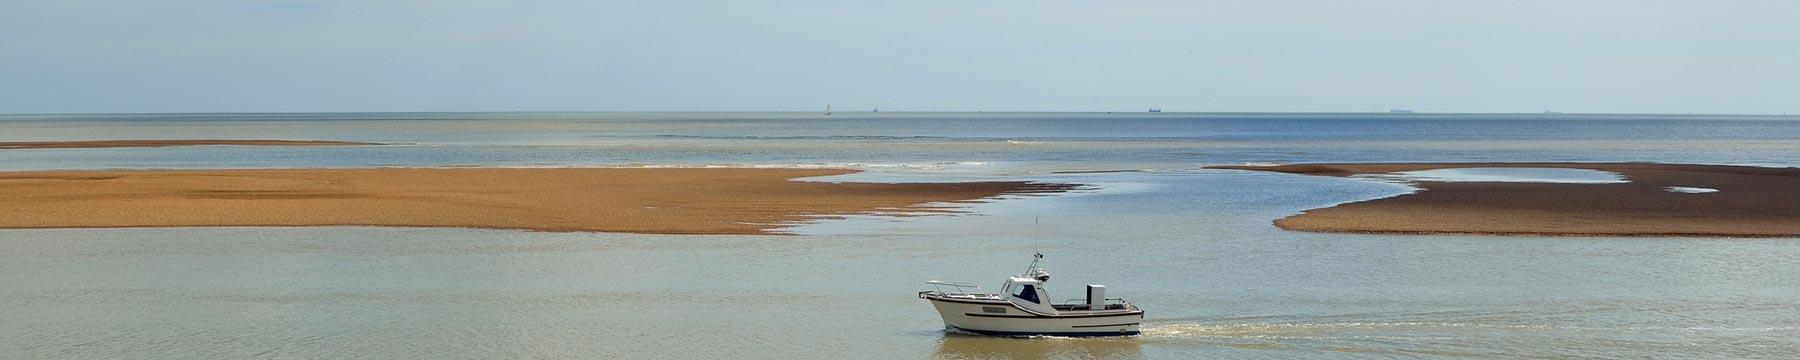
column 1000, row 318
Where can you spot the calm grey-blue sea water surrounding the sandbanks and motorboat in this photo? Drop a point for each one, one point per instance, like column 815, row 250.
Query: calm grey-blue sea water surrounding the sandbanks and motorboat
column 1191, row 246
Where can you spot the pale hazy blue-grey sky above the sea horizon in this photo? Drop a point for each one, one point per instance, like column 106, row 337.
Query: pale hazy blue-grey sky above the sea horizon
column 1716, row 57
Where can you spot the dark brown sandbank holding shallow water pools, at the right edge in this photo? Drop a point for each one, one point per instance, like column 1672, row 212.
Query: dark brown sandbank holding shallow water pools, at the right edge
column 1750, row 202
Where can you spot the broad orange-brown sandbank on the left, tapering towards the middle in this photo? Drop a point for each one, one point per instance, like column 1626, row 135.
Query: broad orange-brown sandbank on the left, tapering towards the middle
column 609, row 201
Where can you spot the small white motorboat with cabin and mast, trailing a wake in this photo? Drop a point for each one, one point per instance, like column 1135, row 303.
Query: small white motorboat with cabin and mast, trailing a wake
column 1025, row 309
